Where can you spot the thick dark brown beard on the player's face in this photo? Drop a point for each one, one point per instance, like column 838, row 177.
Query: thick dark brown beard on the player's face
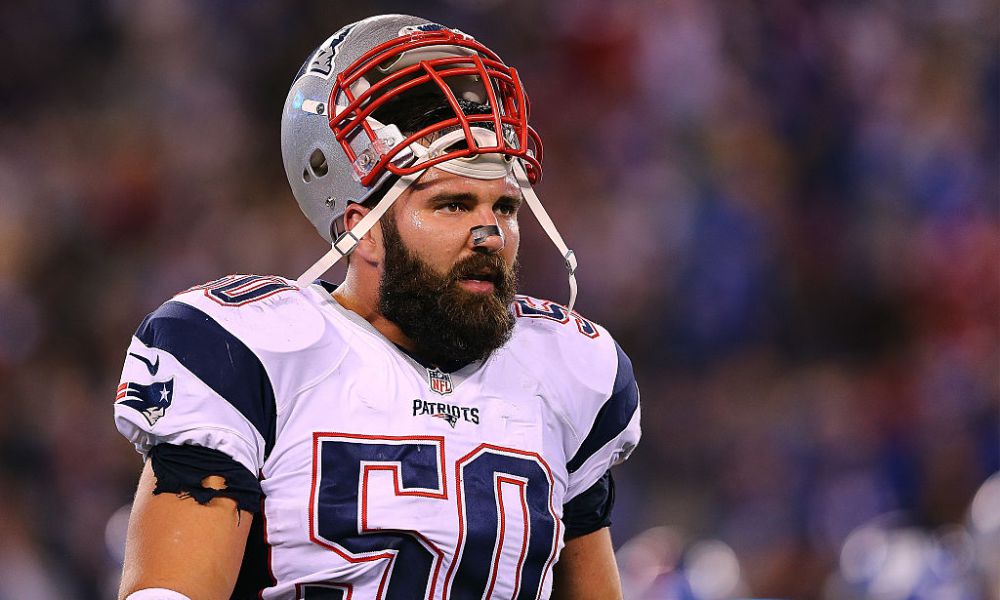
column 449, row 326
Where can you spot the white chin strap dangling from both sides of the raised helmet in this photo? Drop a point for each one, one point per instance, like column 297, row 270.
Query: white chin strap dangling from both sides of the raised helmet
column 483, row 166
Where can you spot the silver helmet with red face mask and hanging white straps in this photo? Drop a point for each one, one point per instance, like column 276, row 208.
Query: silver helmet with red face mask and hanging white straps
column 336, row 151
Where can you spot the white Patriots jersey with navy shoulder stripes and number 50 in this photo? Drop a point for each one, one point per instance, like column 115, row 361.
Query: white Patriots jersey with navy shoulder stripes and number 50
column 383, row 478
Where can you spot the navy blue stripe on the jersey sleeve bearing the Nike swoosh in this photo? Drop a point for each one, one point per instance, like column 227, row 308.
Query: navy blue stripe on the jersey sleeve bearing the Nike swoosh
column 216, row 357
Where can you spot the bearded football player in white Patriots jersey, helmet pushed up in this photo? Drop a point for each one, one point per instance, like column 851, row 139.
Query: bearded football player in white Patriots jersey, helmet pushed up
column 418, row 431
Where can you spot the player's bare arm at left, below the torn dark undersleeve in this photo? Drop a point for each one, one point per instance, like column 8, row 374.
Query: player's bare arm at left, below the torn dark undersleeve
column 176, row 543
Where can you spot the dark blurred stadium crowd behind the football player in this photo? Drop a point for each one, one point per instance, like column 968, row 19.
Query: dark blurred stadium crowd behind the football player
column 786, row 211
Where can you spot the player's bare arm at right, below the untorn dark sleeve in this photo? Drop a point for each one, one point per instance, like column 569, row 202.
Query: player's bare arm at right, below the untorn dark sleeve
column 587, row 569
